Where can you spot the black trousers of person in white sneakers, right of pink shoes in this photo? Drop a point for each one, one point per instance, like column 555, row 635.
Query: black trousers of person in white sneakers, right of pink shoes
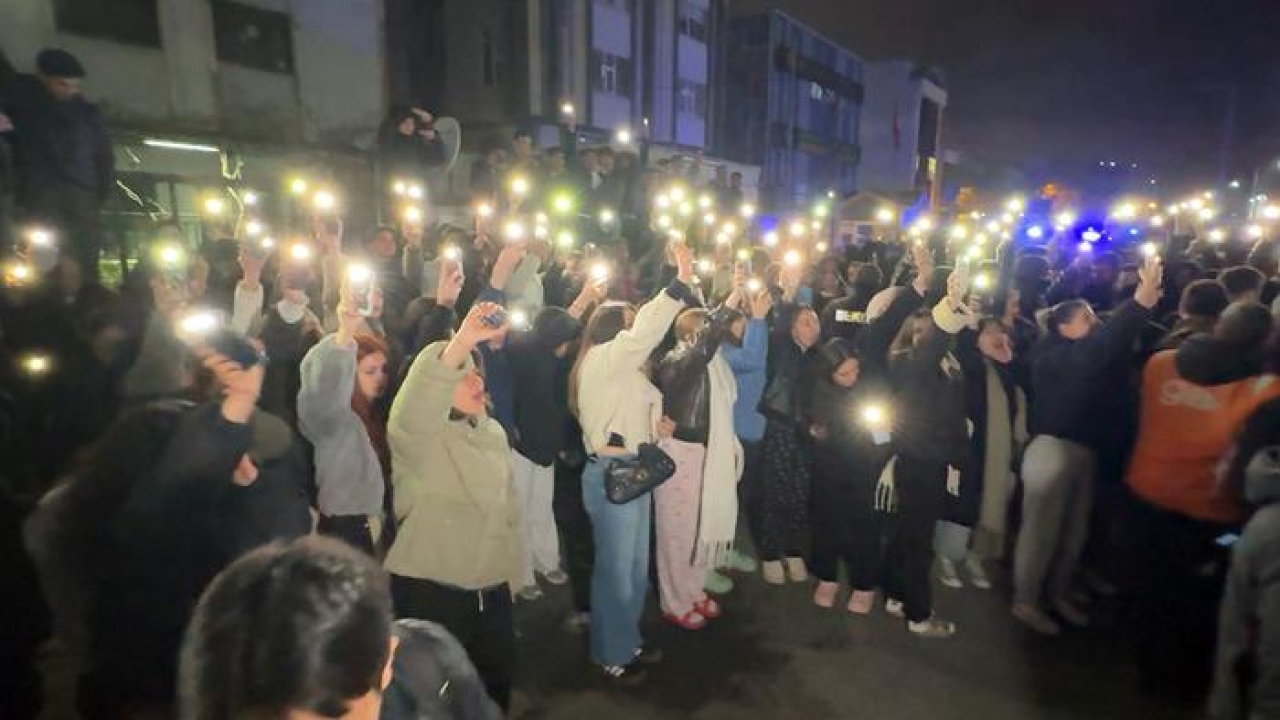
column 922, row 486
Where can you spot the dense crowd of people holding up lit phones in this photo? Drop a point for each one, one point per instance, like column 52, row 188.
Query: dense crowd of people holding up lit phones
column 455, row 408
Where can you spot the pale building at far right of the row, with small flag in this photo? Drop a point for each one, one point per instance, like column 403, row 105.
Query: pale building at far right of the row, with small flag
column 902, row 129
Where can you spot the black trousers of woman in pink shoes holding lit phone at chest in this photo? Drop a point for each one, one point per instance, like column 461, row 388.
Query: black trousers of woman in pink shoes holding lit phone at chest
column 847, row 528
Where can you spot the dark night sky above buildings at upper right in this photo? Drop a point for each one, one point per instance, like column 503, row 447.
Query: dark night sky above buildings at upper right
column 1049, row 89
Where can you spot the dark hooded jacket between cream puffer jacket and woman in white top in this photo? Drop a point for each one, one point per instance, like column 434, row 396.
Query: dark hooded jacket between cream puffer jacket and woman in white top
column 541, row 411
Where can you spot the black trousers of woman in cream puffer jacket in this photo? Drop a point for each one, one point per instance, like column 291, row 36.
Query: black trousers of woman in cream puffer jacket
column 481, row 621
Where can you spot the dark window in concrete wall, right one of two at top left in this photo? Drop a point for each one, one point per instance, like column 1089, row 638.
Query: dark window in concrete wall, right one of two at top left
column 254, row 38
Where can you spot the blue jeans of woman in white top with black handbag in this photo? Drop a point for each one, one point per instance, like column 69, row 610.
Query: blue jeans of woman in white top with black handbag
column 620, row 580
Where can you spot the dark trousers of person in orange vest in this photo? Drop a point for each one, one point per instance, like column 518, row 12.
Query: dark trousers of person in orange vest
column 1173, row 586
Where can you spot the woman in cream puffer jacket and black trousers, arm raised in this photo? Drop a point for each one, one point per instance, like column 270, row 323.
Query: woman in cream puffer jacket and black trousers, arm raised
column 458, row 553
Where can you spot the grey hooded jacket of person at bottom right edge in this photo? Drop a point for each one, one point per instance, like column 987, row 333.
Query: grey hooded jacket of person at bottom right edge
column 1247, row 668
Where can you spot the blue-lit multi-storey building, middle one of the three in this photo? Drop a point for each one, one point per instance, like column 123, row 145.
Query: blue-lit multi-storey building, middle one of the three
column 793, row 106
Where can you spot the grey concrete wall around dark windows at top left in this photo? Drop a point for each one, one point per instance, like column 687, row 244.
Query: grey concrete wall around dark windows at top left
column 335, row 97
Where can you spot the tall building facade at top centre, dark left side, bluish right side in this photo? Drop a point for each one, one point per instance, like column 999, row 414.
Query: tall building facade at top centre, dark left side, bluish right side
column 497, row 65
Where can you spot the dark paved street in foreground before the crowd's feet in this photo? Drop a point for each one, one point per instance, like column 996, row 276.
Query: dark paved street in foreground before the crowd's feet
column 775, row 655
